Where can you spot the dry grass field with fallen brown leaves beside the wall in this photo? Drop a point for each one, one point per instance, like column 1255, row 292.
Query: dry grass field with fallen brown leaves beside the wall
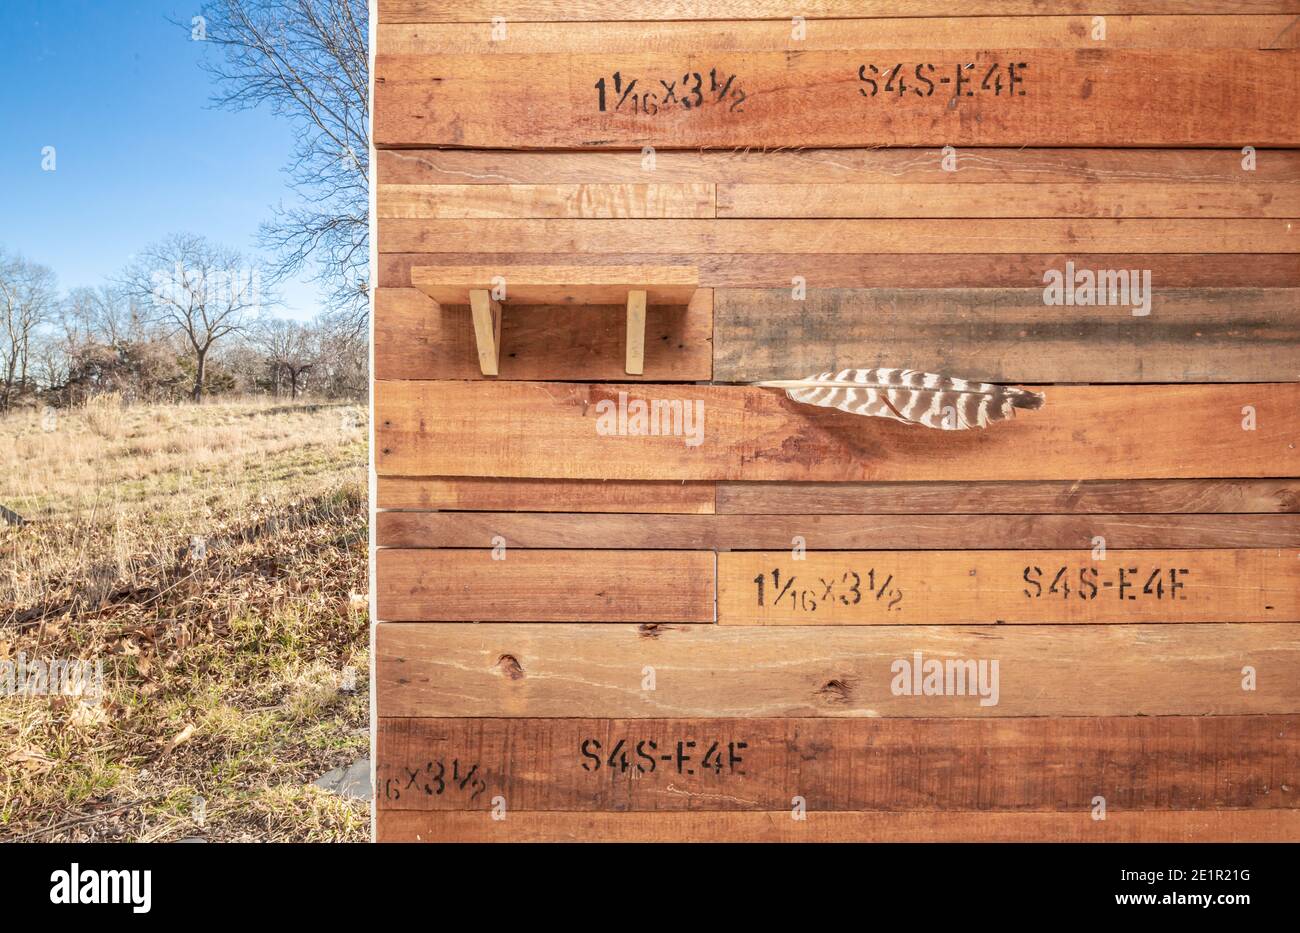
column 213, row 558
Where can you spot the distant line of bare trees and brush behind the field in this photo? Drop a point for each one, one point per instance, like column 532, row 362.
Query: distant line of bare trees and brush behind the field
column 187, row 320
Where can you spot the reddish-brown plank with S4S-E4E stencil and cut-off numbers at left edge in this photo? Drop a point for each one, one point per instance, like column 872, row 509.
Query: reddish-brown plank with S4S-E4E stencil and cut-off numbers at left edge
column 887, row 765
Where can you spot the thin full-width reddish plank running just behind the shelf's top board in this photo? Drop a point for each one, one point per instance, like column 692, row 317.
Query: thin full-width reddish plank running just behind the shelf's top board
column 911, row 271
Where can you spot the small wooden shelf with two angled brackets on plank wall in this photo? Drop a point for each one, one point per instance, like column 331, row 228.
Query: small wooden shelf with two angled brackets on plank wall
column 487, row 289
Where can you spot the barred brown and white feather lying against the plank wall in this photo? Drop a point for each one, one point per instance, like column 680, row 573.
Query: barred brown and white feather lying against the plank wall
column 930, row 400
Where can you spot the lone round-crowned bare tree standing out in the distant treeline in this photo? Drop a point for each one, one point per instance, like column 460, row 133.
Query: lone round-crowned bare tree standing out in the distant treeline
column 197, row 292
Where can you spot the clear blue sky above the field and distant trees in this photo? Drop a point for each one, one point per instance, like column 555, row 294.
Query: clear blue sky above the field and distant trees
column 118, row 90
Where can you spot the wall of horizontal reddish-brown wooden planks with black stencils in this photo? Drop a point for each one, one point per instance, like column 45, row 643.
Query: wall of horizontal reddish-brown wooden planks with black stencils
column 656, row 637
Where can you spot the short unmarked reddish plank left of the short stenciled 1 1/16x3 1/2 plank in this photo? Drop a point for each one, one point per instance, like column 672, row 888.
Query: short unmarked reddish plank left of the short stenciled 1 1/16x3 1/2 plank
column 539, row 587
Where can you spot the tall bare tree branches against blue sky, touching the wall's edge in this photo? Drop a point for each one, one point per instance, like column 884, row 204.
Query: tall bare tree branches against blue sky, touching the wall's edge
column 309, row 62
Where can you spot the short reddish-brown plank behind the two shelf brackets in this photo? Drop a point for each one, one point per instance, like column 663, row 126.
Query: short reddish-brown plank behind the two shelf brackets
column 417, row 339
